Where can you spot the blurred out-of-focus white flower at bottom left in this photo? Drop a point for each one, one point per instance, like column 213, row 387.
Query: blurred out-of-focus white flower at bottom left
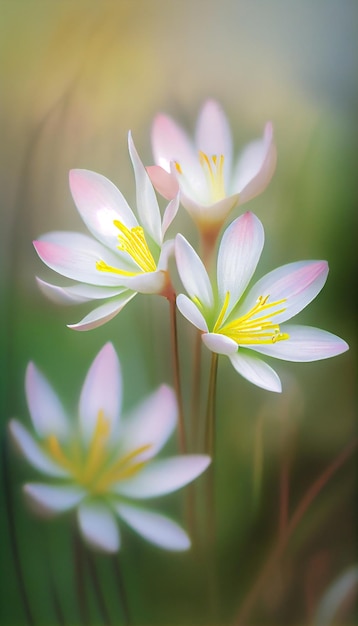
column 102, row 464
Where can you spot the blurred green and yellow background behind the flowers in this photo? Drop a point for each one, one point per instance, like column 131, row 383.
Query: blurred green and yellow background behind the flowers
column 75, row 77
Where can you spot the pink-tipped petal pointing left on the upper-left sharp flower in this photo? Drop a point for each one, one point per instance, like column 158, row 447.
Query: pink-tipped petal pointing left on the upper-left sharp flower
column 74, row 256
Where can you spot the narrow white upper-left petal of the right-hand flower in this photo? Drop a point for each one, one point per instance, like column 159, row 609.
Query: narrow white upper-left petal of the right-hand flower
column 192, row 272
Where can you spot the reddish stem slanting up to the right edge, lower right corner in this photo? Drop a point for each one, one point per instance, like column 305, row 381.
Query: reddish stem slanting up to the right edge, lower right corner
column 307, row 499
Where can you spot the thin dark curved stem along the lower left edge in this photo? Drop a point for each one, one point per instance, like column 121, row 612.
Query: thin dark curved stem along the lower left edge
column 12, row 534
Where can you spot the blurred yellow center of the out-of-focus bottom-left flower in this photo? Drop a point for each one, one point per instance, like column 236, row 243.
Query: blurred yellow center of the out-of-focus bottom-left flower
column 95, row 468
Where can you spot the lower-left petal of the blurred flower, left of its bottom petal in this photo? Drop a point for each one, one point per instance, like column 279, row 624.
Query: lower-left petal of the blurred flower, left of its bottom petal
column 53, row 499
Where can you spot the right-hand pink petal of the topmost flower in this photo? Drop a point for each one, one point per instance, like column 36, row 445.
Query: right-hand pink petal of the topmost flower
column 256, row 166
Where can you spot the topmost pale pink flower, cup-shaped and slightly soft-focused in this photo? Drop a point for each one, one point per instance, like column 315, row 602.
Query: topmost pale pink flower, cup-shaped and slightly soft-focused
column 210, row 182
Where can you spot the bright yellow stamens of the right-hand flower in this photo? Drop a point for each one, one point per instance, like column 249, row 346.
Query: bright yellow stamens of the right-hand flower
column 256, row 326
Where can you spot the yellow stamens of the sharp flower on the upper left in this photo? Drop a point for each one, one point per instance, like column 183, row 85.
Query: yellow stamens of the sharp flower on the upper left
column 132, row 241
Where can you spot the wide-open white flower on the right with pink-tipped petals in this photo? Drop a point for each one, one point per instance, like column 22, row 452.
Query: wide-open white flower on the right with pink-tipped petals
column 247, row 324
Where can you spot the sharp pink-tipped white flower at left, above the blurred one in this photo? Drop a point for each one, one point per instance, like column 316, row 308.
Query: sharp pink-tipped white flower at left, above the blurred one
column 122, row 258
